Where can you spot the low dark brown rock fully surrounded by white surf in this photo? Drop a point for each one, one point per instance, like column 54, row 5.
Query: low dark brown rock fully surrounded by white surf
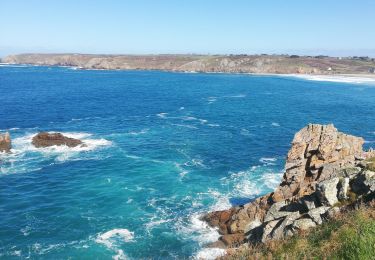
column 45, row 139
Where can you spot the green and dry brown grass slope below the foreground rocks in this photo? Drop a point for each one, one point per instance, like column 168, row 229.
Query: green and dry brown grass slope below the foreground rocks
column 350, row 235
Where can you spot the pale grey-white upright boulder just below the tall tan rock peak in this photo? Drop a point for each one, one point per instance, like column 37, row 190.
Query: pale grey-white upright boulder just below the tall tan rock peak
column 327, row 191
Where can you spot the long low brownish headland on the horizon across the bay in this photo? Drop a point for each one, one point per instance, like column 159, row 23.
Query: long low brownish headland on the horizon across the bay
column 279, row 64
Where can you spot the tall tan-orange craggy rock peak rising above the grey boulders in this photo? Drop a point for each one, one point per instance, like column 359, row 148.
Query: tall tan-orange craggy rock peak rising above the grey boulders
column 317, row 153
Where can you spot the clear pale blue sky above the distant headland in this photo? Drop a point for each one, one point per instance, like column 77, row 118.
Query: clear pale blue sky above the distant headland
column 330, row 27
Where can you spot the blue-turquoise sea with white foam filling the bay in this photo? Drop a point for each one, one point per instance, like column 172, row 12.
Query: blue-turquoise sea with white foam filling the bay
column 162, row 149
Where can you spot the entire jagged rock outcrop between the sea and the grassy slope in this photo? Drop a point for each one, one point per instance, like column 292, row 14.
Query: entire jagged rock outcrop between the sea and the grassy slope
column 323, row 169
